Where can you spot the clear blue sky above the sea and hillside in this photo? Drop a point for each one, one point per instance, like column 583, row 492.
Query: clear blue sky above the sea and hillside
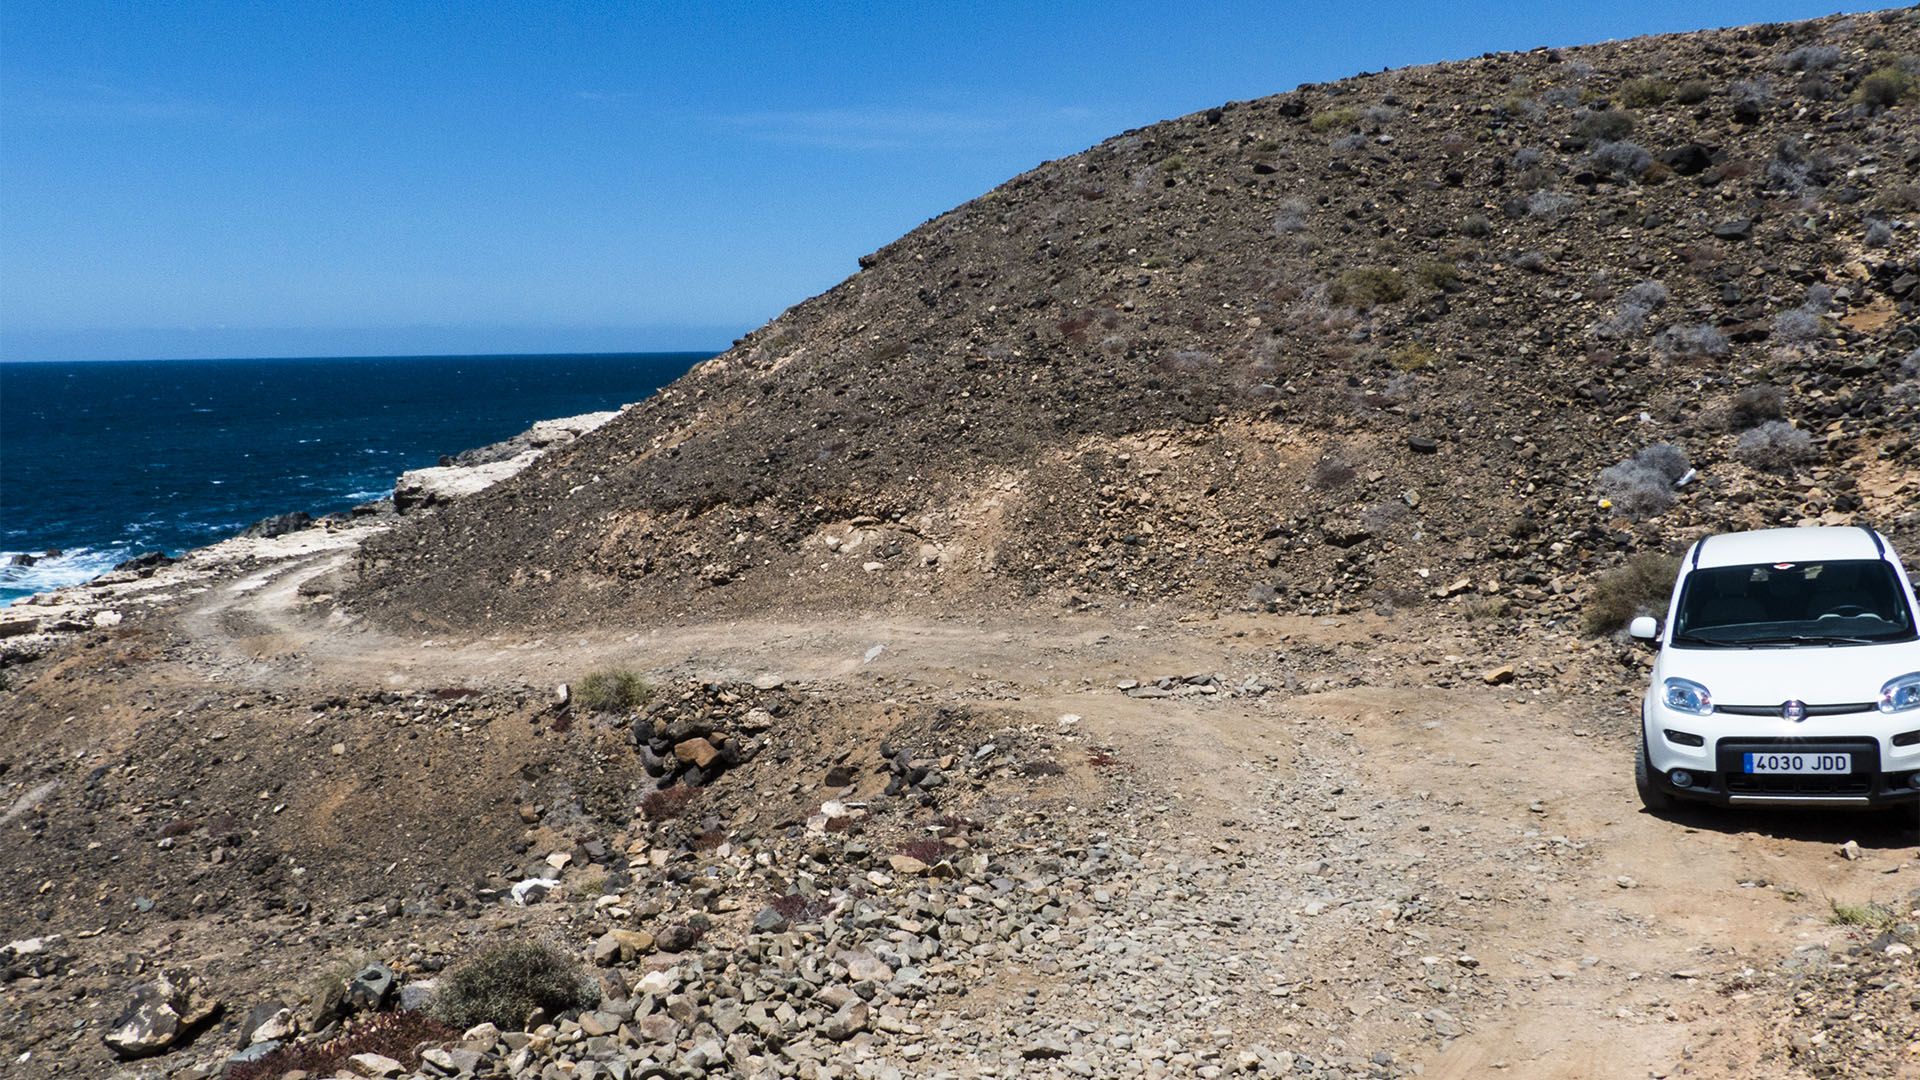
column 345, row 180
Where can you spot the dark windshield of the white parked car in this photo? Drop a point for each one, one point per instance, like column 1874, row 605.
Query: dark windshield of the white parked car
column 1838, row 602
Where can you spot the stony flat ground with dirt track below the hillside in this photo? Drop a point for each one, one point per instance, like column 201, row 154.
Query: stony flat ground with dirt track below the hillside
column 1105, row 845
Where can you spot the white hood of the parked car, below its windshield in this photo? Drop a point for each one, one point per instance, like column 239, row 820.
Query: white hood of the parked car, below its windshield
column 1821, row 675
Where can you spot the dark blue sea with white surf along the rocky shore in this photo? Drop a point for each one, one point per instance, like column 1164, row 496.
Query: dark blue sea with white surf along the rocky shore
column 108, row 460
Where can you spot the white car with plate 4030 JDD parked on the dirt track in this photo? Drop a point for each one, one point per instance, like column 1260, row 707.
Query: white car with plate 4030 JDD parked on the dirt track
column 1788, row 674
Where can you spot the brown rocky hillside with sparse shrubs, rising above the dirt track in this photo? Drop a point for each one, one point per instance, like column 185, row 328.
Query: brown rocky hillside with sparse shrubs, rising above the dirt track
column 1368, row 343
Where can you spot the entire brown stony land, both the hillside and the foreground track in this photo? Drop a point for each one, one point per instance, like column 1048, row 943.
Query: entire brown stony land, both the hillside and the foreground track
column 1134, row 627
